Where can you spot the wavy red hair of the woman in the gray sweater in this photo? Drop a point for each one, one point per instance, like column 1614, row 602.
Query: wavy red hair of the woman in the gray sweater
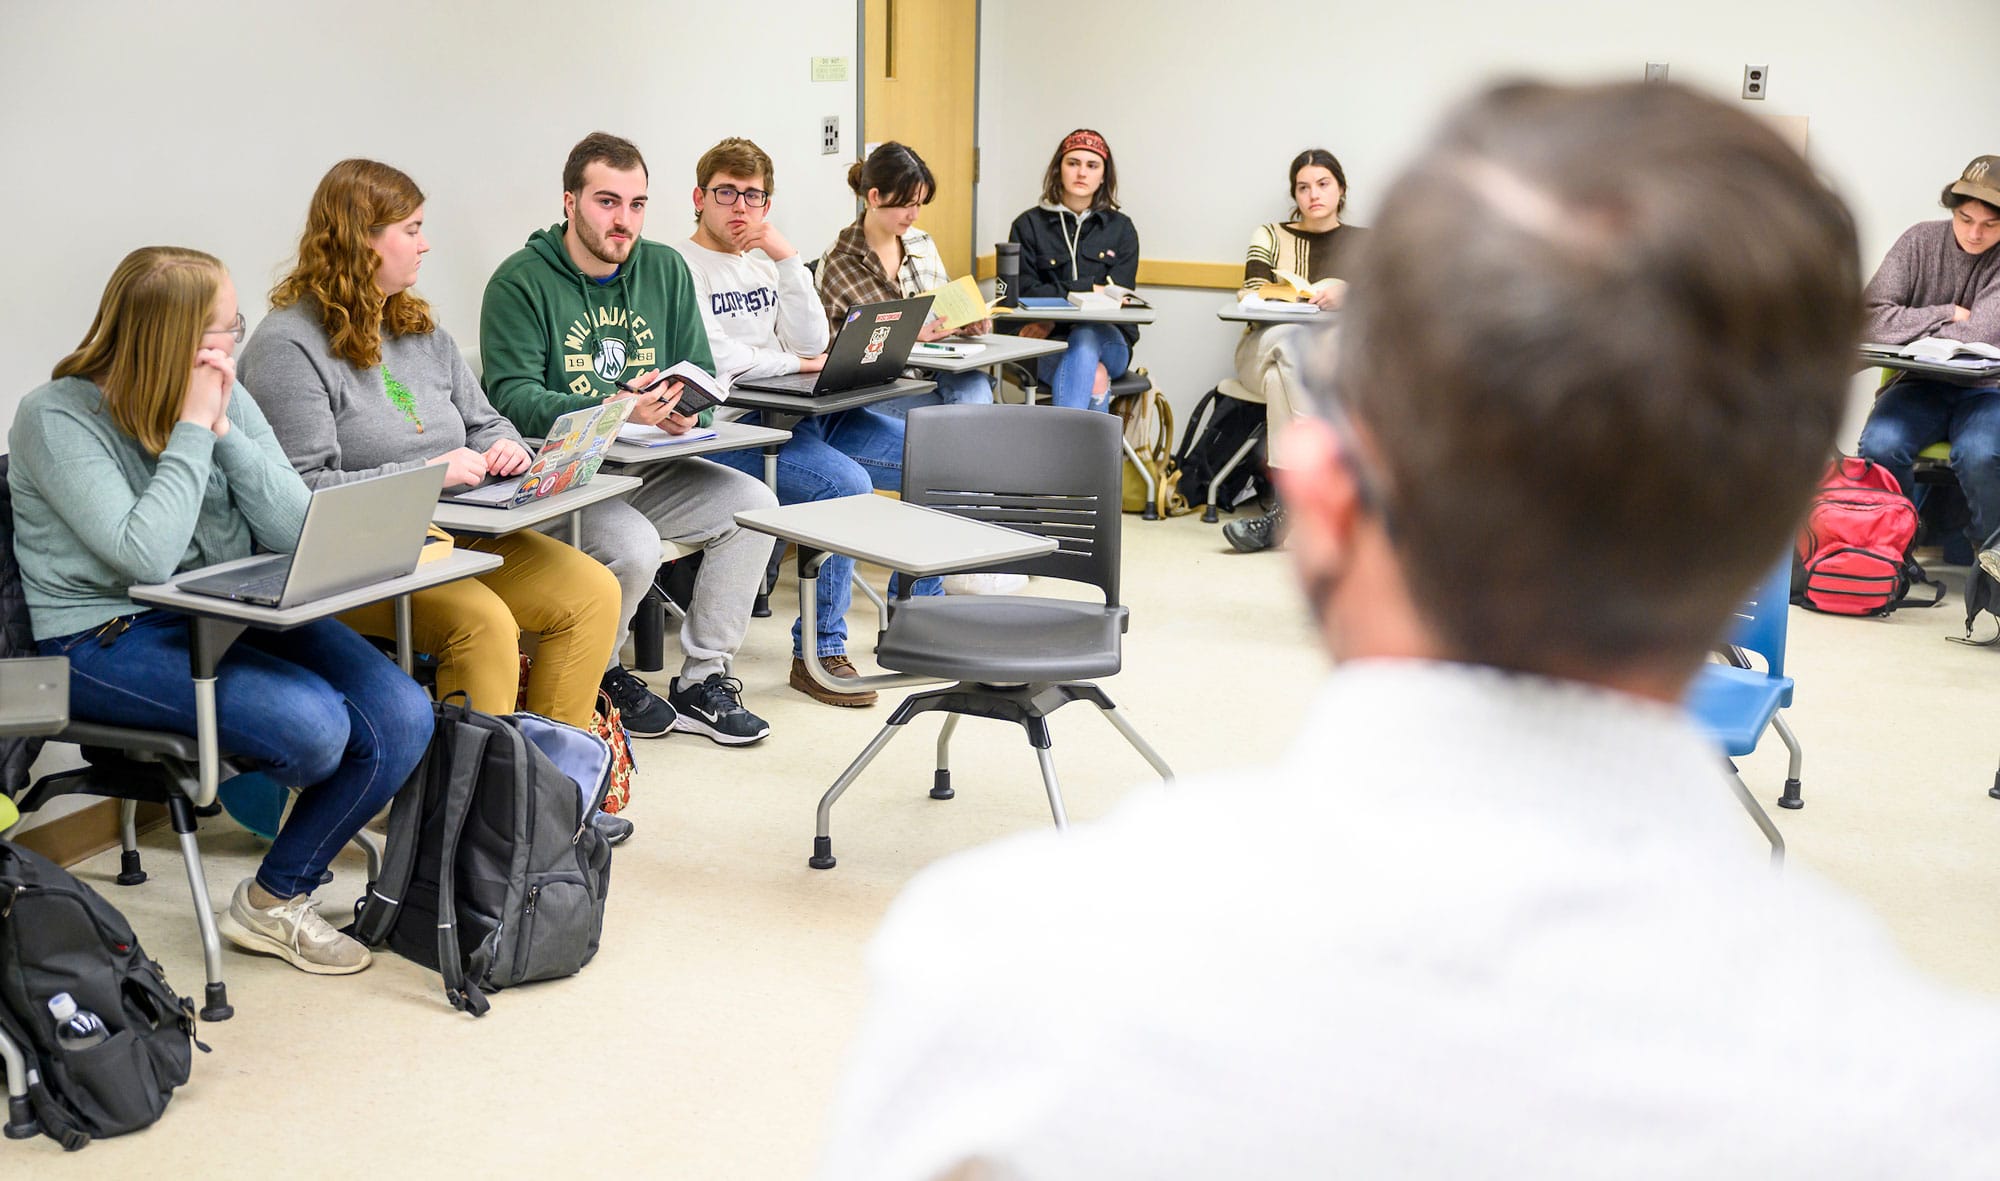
column 337, row 261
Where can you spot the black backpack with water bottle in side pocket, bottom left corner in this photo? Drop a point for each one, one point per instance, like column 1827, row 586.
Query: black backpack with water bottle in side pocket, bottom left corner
column 57, row 936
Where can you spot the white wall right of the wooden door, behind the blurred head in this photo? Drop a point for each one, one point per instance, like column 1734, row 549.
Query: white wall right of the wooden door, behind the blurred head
column 1205, row 105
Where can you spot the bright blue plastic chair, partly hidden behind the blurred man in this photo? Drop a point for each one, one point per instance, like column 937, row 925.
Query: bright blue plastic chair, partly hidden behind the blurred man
column 1737, row 704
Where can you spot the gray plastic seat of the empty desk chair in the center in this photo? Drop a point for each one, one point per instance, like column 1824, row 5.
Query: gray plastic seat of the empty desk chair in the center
column 1003, row 638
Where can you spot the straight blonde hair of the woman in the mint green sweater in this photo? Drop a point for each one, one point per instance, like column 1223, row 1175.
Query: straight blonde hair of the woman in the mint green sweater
column 143, row 341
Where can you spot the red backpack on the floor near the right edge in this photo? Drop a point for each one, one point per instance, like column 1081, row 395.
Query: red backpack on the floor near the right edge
column 1855, row 549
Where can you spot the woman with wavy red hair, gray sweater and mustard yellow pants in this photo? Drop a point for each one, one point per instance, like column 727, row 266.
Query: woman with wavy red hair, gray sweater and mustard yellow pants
column 357, row 381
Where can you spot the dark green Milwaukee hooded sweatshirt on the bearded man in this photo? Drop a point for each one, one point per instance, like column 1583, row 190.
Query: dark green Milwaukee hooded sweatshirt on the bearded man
column 555, row 341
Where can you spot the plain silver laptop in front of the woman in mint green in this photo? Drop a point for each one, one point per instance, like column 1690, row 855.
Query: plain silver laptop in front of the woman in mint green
column 355, row 535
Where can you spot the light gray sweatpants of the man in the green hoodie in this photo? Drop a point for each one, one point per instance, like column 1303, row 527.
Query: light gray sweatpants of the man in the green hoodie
column 695, row 503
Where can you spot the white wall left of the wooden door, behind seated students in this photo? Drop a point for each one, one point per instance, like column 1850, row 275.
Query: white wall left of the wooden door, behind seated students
column 129, row 123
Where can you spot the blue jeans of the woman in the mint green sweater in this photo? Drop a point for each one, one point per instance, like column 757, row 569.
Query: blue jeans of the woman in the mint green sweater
column 317, row 708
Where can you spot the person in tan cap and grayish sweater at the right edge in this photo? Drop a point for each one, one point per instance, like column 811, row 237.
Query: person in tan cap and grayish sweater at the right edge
column 1943, row 279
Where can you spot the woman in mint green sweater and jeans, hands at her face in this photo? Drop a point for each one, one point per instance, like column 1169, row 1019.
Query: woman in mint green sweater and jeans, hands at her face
column 143, row 459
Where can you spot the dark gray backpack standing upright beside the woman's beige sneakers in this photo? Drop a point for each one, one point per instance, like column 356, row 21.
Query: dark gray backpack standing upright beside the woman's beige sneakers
column 495, row 874
